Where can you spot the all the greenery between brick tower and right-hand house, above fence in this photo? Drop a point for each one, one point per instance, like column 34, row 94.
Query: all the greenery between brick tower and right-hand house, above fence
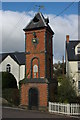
column 65, row 92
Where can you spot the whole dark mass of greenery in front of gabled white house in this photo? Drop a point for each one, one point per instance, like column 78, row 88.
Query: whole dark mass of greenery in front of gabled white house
column 10, row 91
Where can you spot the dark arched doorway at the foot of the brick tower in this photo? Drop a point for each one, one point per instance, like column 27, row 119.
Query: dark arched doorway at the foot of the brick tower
column 33, row 98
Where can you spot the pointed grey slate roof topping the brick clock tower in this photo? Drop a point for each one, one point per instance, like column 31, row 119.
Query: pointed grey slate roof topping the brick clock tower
column 38, row 22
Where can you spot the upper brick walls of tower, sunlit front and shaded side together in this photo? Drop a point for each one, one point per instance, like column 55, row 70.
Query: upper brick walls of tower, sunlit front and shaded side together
column 39, row 52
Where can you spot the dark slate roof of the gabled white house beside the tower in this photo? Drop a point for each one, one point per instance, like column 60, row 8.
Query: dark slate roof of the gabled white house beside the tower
column 19, row 57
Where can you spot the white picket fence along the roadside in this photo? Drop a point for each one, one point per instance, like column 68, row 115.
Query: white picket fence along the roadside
column 70, row 109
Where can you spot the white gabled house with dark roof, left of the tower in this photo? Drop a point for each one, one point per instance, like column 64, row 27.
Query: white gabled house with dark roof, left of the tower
column 13, row 63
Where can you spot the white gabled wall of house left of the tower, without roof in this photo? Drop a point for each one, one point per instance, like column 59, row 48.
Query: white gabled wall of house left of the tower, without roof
column 16, row 70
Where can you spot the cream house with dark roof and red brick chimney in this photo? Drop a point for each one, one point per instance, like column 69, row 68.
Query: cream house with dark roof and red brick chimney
column 73, row 62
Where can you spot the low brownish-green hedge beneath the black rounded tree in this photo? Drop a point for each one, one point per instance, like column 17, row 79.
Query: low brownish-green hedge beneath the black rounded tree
column 11, row 95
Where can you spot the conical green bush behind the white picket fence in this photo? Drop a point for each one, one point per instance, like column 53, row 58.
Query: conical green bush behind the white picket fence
column 66, row 91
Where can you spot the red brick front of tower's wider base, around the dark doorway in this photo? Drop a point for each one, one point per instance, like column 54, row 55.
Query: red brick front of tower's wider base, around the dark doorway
column 42, row 93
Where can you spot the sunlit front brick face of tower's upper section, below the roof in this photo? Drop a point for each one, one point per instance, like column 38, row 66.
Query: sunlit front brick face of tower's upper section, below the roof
column 35, row 52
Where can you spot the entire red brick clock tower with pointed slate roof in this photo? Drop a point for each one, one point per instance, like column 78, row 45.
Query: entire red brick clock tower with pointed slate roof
column 35, row 89
